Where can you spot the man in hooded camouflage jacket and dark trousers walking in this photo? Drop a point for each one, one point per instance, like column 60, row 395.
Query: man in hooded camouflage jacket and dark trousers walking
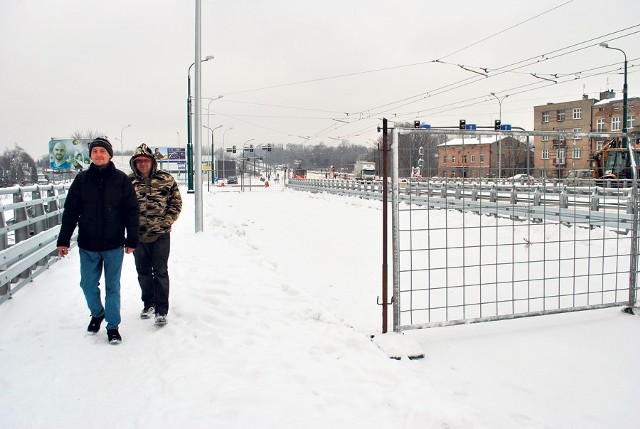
column 160, row 205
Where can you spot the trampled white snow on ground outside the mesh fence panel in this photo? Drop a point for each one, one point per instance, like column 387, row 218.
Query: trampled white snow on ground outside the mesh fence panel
column 272, row 310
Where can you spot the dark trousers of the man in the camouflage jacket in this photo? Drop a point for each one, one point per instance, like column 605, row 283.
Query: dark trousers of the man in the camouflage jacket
column 153, row 275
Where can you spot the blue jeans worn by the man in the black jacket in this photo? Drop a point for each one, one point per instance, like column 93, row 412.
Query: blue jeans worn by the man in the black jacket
column 91, row 264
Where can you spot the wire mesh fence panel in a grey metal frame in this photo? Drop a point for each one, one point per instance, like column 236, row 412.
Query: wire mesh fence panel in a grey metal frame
column 491, row 225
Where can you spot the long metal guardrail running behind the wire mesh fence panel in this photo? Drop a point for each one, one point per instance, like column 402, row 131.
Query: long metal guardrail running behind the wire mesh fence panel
column 552, row 201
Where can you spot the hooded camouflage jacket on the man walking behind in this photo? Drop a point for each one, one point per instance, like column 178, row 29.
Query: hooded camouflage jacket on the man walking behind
column 159, row 199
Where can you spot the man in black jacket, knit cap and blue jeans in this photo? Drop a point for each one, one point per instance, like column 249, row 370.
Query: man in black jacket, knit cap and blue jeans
column 102, row 203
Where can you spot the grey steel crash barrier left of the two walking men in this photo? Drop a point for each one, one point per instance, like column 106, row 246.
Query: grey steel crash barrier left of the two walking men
column 29, row 226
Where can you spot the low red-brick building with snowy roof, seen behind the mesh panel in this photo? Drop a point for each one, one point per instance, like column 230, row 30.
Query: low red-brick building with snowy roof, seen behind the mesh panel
column 484, row 156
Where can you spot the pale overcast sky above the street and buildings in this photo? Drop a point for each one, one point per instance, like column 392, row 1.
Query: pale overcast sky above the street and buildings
column 293, row 71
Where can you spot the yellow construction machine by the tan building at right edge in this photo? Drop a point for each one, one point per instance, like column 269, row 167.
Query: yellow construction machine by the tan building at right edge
column 612, row 166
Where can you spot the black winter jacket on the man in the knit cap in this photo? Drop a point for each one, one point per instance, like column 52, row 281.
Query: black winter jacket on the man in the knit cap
column 103, row 204
